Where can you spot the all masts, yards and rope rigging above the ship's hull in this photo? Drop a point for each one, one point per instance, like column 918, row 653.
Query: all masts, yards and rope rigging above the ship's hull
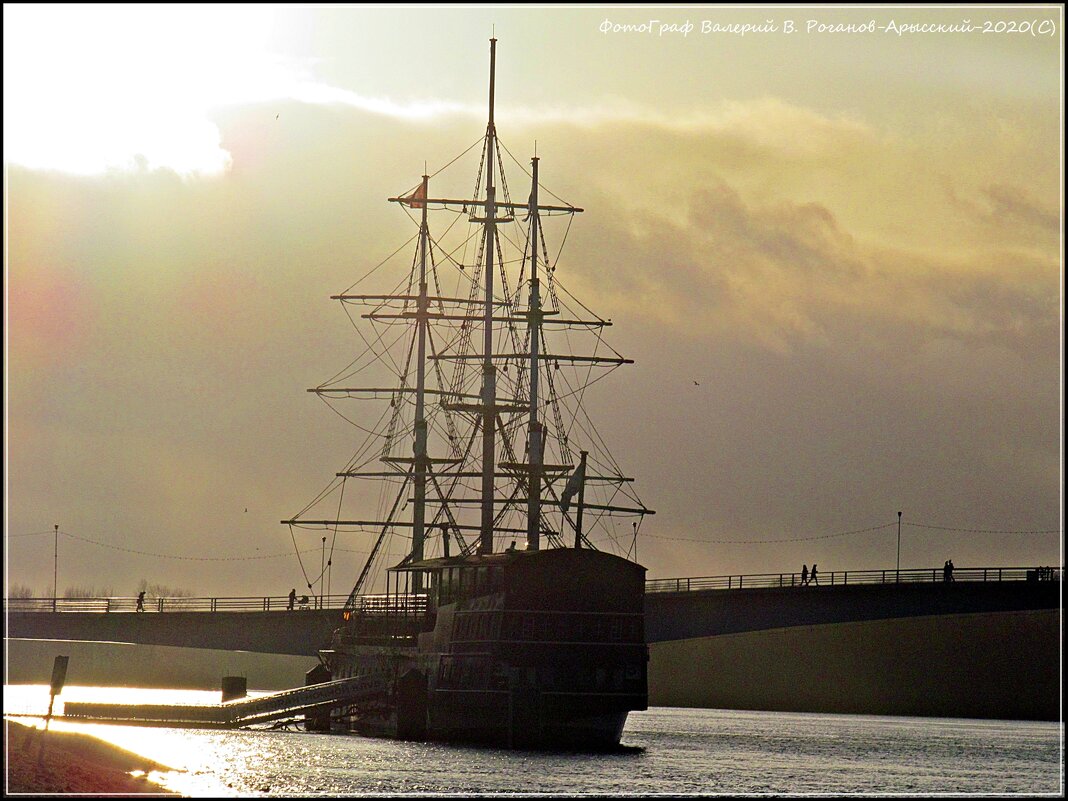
column 485, row 439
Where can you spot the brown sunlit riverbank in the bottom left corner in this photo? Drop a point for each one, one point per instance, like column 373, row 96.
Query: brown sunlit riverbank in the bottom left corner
column 73, row 763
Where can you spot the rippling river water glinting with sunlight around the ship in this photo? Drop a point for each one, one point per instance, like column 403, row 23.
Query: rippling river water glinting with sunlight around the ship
column 667, row 751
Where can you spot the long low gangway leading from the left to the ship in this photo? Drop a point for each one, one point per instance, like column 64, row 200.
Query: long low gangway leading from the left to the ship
column 235, row 714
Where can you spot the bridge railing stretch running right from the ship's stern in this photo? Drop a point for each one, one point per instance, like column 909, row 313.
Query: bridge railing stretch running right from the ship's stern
column 840, row 578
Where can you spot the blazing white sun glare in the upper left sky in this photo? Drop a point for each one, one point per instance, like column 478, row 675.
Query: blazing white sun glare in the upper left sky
column 89, row 89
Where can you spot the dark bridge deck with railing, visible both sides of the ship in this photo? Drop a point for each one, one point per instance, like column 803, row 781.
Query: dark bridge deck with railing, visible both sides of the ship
column 674, row 609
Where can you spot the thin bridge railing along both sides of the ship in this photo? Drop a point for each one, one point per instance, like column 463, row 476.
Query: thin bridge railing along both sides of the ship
column 416, row 605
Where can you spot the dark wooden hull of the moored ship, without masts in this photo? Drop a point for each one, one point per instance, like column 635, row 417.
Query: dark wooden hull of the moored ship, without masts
column 523, row 650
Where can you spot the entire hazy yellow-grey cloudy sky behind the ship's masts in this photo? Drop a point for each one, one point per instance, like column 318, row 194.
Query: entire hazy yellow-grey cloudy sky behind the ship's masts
column 852, row 240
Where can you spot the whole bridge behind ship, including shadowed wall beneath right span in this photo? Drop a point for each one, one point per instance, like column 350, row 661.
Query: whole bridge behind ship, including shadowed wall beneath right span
column 884, row 642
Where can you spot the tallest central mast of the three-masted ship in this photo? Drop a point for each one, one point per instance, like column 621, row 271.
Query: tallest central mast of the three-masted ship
column 489, row 371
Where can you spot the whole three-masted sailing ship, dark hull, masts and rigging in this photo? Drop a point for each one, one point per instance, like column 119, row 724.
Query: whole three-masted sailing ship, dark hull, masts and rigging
column 485, row 443
